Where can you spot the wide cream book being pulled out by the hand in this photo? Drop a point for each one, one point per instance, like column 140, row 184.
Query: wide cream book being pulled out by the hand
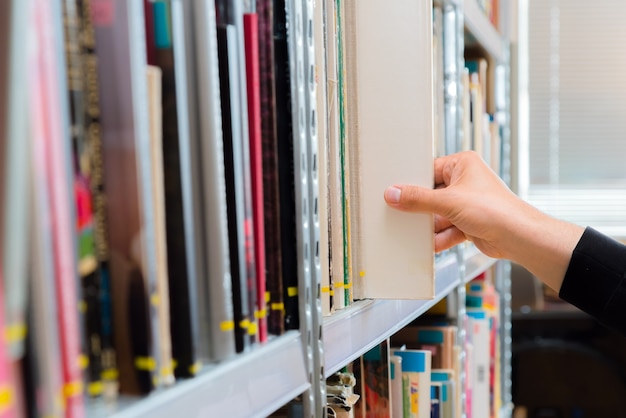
column 388, row 54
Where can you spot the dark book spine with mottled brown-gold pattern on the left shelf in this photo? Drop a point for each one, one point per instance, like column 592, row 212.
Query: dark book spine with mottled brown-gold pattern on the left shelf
column 93, row 133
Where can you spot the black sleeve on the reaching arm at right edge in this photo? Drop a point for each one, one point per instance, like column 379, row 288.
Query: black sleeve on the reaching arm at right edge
column 594, row 281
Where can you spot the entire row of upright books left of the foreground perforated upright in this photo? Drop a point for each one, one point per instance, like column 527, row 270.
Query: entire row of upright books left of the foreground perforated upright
column 148, row 184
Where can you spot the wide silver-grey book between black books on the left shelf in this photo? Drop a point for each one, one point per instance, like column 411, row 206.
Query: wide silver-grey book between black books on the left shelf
column 205, row 192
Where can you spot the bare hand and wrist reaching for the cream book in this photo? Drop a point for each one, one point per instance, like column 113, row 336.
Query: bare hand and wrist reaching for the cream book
column 470, row 202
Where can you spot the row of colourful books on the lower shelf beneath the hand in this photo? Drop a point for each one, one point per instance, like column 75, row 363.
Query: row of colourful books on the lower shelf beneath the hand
column 420, row 373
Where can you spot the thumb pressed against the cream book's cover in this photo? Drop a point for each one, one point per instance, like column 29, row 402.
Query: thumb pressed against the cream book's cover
column 415, row 199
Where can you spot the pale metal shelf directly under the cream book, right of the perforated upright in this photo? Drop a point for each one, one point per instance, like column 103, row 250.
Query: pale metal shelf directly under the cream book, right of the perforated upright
column 352, row 332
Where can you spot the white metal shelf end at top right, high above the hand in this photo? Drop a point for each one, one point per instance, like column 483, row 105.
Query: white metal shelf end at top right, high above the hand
column 481, row 32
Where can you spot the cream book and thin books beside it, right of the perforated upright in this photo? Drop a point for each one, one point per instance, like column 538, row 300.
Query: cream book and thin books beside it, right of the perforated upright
column 374, row 97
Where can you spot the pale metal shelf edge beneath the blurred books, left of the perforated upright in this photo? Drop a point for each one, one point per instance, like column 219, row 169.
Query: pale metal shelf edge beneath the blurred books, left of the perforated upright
column 253, row 384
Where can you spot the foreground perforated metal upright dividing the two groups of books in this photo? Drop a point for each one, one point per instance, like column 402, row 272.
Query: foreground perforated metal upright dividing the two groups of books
column 302, row 70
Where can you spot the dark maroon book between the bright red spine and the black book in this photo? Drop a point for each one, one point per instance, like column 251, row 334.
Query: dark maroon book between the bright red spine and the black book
column 271, row 201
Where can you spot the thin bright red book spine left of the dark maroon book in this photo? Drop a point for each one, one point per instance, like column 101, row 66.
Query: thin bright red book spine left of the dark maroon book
column 251, row 31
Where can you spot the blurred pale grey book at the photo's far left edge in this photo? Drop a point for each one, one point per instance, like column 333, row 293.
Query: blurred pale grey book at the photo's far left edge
column 15, row 178
